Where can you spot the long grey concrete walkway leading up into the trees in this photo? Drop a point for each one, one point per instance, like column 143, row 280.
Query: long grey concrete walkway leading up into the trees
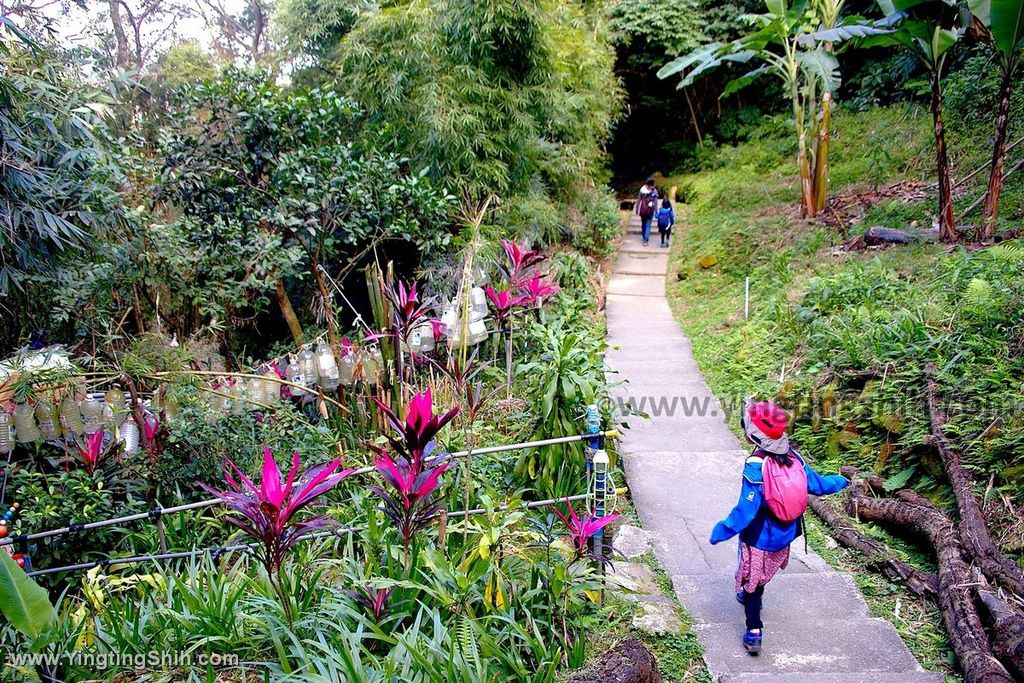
column 684, row 468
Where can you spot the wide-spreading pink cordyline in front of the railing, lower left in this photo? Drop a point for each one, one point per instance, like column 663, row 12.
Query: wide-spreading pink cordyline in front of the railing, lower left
column 268, row 513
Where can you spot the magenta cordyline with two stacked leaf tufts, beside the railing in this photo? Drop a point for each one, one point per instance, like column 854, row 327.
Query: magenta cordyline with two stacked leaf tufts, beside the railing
column 413, row 475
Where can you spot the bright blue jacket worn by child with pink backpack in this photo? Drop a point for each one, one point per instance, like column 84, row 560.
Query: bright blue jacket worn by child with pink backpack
column 751, row 519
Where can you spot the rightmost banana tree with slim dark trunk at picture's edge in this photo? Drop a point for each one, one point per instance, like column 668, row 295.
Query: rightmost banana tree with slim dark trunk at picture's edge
column 1005, row 22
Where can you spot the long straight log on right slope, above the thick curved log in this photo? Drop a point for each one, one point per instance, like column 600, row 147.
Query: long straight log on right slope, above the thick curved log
column 973, row 527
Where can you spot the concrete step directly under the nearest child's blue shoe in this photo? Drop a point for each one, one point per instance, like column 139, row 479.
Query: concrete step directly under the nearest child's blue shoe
column 832, row 647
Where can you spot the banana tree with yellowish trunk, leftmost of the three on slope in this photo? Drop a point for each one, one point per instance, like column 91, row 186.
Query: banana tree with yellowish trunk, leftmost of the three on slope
column 796, row 46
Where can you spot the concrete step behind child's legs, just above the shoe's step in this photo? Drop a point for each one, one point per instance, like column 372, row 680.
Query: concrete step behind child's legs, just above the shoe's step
column 789, row 597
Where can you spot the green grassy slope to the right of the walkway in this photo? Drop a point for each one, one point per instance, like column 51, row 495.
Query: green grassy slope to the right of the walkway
column 816, row 315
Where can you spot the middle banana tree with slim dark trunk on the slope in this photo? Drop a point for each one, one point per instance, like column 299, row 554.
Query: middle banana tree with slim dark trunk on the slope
column 928, row 29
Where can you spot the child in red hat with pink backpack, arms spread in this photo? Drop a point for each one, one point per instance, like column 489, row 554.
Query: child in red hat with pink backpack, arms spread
column 770, row 515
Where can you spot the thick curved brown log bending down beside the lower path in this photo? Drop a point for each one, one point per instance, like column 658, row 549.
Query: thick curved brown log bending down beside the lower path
column 956, row 586
